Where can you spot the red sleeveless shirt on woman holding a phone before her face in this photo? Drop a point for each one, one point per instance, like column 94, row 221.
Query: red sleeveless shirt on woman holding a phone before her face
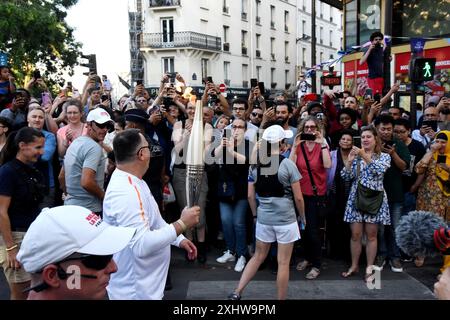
column 318, row 171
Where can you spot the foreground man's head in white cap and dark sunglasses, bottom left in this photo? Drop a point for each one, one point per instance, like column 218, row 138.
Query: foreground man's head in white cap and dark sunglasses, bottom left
column 68, row 251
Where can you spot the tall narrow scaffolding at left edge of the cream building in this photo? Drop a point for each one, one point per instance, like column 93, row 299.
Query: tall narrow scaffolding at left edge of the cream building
column 135, row 23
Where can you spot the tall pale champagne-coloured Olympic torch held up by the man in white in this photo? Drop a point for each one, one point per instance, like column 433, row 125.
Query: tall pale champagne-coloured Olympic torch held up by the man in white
column 194, row 158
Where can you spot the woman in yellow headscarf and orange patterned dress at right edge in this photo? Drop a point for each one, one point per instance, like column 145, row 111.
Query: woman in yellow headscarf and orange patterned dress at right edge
column 434, row 192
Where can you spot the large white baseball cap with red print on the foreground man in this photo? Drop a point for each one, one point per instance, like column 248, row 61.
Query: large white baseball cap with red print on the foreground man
column 61, row 231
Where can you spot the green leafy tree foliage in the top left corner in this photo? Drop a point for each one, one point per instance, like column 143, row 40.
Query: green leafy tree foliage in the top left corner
column 34, row 33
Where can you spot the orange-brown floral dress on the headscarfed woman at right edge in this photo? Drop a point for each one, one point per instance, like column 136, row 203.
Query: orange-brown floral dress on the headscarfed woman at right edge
column 429, row 196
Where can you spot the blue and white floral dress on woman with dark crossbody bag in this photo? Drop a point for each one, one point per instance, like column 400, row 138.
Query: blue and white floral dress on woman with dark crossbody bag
column 371, row 176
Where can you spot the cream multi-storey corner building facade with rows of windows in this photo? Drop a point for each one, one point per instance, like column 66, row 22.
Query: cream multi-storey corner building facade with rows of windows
column 233, row 40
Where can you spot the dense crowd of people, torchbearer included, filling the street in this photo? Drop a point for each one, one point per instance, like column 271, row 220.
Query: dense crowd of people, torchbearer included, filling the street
column 294, row 173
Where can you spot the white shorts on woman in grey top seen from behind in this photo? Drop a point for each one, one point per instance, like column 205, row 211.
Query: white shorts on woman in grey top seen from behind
column 282, row 234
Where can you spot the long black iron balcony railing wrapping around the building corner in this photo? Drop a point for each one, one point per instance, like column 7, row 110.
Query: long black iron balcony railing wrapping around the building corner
column 185, row 39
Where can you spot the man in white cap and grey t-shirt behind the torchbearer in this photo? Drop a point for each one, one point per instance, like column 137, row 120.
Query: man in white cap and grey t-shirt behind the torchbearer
column 83, row 172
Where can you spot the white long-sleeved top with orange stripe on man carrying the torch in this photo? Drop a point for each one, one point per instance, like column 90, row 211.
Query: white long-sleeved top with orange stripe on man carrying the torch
column 144, row 263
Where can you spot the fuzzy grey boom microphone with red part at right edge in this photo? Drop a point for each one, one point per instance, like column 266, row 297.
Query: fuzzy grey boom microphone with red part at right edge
column 422, row 234
